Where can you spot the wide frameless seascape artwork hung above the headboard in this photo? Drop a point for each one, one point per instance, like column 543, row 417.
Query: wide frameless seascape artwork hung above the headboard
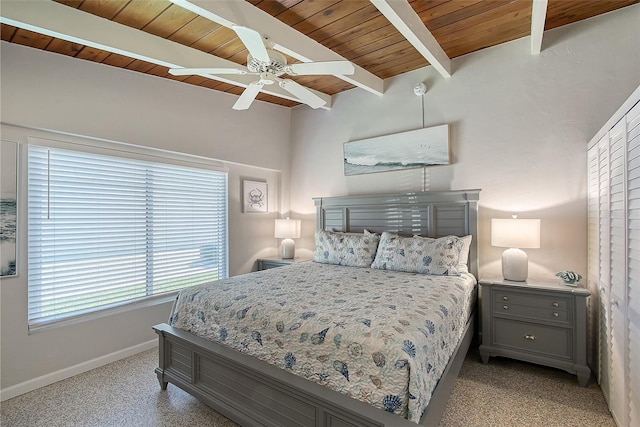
column 406, row 150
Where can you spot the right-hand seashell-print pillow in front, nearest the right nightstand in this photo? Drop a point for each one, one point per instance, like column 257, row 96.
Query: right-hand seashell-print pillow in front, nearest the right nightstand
column 419, row 254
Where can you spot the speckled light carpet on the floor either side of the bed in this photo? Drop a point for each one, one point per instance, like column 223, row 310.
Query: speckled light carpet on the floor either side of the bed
column 126, row 393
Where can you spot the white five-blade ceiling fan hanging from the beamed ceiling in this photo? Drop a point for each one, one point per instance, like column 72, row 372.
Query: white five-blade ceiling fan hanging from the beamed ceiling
column 270, row 65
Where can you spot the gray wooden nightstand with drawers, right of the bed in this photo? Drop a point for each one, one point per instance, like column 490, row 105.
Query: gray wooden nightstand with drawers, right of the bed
column 541, row 322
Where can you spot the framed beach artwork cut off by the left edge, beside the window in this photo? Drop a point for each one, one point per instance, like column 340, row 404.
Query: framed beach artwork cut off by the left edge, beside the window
column 8, row 207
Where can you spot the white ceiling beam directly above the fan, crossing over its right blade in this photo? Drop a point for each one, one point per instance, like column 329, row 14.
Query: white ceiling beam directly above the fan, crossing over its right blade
column 284, row 38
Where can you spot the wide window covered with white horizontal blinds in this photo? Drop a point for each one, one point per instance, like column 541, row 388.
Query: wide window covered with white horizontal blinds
column 106, row 231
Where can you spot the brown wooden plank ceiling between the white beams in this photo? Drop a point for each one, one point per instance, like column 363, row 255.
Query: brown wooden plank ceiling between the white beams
column 354, row 29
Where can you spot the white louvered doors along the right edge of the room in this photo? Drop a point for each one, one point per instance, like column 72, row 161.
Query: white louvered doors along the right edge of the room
column 617, row 266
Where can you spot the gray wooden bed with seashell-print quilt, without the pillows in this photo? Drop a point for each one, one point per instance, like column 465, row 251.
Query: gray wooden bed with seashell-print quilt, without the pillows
column 286, row 385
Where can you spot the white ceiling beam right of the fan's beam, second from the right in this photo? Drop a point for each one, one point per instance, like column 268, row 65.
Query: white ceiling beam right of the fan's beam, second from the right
column 406, row 20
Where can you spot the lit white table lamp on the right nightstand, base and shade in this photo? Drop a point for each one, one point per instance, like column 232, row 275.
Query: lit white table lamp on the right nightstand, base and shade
column 515, row 234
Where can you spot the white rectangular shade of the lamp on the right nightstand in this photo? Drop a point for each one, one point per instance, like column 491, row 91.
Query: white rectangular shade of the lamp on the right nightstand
column 515, row 233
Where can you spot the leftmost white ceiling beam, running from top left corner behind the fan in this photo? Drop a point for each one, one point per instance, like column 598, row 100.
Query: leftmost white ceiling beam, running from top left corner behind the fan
column 60, row 21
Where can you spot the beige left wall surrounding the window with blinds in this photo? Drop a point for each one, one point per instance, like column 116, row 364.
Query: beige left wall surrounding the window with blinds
column 57, row 97
